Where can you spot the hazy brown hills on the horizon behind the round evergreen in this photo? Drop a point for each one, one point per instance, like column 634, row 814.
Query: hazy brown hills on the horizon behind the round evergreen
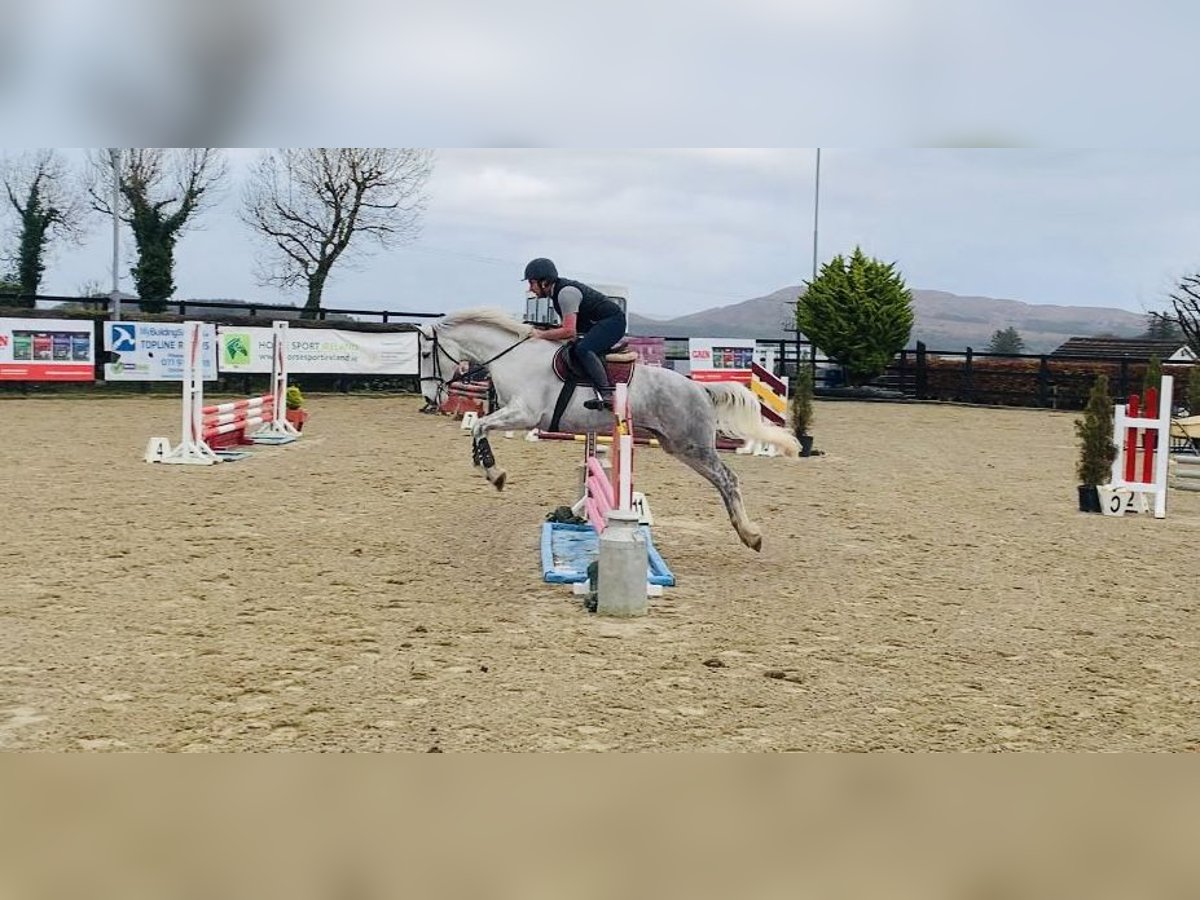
column 944, row 321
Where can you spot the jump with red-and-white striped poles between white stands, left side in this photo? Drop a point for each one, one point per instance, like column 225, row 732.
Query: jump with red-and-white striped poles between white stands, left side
column 211, row 433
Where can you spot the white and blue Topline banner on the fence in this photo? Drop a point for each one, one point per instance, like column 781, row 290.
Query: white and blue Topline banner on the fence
column 154, row 352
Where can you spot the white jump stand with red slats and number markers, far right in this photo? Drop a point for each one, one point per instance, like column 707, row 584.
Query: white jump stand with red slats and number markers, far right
column 1141, row 425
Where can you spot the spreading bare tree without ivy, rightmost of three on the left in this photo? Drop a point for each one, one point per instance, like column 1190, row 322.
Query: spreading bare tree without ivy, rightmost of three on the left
column 313, row 205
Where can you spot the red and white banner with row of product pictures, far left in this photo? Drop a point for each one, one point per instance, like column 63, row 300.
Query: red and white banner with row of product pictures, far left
column 47, row 351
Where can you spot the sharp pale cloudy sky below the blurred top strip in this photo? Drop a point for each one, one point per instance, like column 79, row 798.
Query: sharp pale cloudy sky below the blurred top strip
column 692, row 230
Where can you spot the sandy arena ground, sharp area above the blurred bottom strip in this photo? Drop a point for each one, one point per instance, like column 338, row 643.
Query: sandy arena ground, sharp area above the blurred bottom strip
column 927, row 585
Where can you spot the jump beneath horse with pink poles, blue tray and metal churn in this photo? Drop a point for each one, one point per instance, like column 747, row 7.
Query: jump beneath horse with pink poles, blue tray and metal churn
column 629, row 566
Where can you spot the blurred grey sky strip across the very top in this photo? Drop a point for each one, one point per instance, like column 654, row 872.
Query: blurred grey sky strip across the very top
column 641, row 73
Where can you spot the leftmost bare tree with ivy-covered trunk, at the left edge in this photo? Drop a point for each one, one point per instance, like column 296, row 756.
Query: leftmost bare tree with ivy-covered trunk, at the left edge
column 49, row 206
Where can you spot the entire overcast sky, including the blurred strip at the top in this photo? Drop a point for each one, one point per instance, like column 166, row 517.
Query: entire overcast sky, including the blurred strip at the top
column 683, row 230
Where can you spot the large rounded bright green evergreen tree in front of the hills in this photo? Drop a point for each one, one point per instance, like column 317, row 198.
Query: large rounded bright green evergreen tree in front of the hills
column 860, row 313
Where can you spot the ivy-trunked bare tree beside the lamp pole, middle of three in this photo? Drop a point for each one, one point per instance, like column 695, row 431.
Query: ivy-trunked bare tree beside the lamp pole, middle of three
column 163, row 193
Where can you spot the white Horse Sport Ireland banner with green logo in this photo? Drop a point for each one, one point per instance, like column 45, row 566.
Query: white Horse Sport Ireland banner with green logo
column 326, row 351
